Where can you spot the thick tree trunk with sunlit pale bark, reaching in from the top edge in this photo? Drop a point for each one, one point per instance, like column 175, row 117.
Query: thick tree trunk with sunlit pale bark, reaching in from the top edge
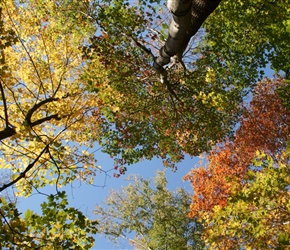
column 188, row 16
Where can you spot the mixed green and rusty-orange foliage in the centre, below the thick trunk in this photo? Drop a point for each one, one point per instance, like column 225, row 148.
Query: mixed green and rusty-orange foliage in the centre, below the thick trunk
column 140, row 116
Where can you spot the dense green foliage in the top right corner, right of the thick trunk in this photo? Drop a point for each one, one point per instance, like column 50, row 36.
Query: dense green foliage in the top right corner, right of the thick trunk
column 247, row 35
